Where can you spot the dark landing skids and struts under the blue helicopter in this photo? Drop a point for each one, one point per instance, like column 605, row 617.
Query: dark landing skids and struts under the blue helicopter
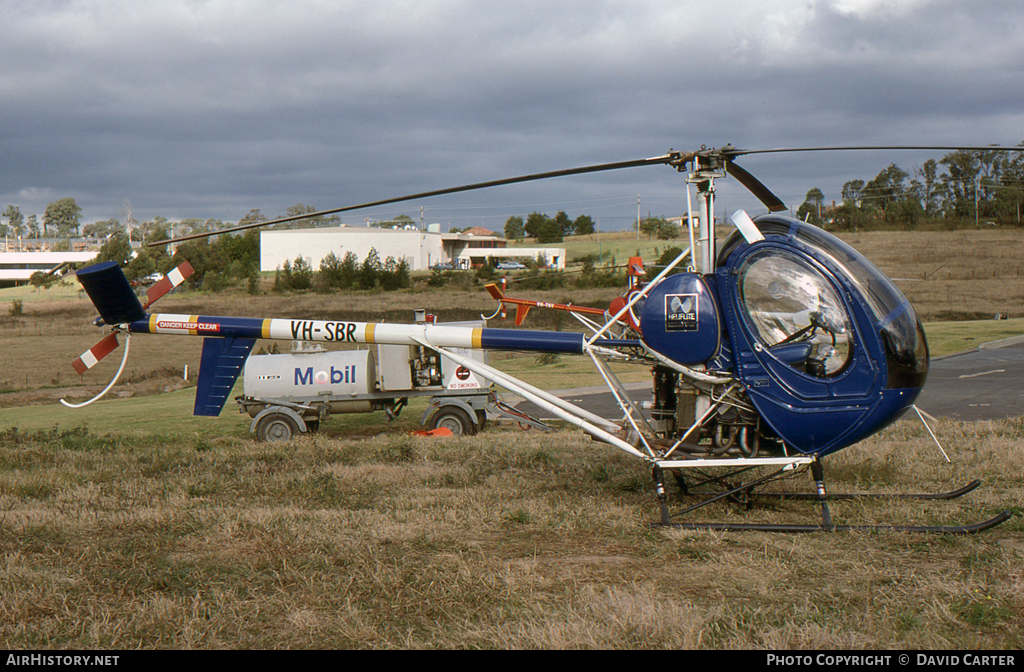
column 822, row 496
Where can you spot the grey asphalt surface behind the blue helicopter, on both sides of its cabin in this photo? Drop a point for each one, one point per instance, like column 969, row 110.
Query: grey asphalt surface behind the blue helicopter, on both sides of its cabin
column 984, row 385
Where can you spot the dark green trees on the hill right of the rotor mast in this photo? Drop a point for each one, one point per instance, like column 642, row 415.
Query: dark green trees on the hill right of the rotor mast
column 964, row 187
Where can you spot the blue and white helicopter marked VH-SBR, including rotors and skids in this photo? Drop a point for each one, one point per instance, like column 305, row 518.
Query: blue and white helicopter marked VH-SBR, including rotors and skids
column 770, row 351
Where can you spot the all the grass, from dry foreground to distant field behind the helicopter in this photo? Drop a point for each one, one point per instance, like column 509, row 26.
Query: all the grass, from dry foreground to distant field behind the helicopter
column 134, row 525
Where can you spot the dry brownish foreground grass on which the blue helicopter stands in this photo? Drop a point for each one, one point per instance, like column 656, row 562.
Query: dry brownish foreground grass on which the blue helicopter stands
column 506, row 540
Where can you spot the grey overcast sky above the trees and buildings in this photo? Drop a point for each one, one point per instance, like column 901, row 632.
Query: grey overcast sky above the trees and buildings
column 210, row 109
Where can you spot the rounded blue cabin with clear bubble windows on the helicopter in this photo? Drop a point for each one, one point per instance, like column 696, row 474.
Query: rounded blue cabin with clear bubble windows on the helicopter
column 828, row 349
